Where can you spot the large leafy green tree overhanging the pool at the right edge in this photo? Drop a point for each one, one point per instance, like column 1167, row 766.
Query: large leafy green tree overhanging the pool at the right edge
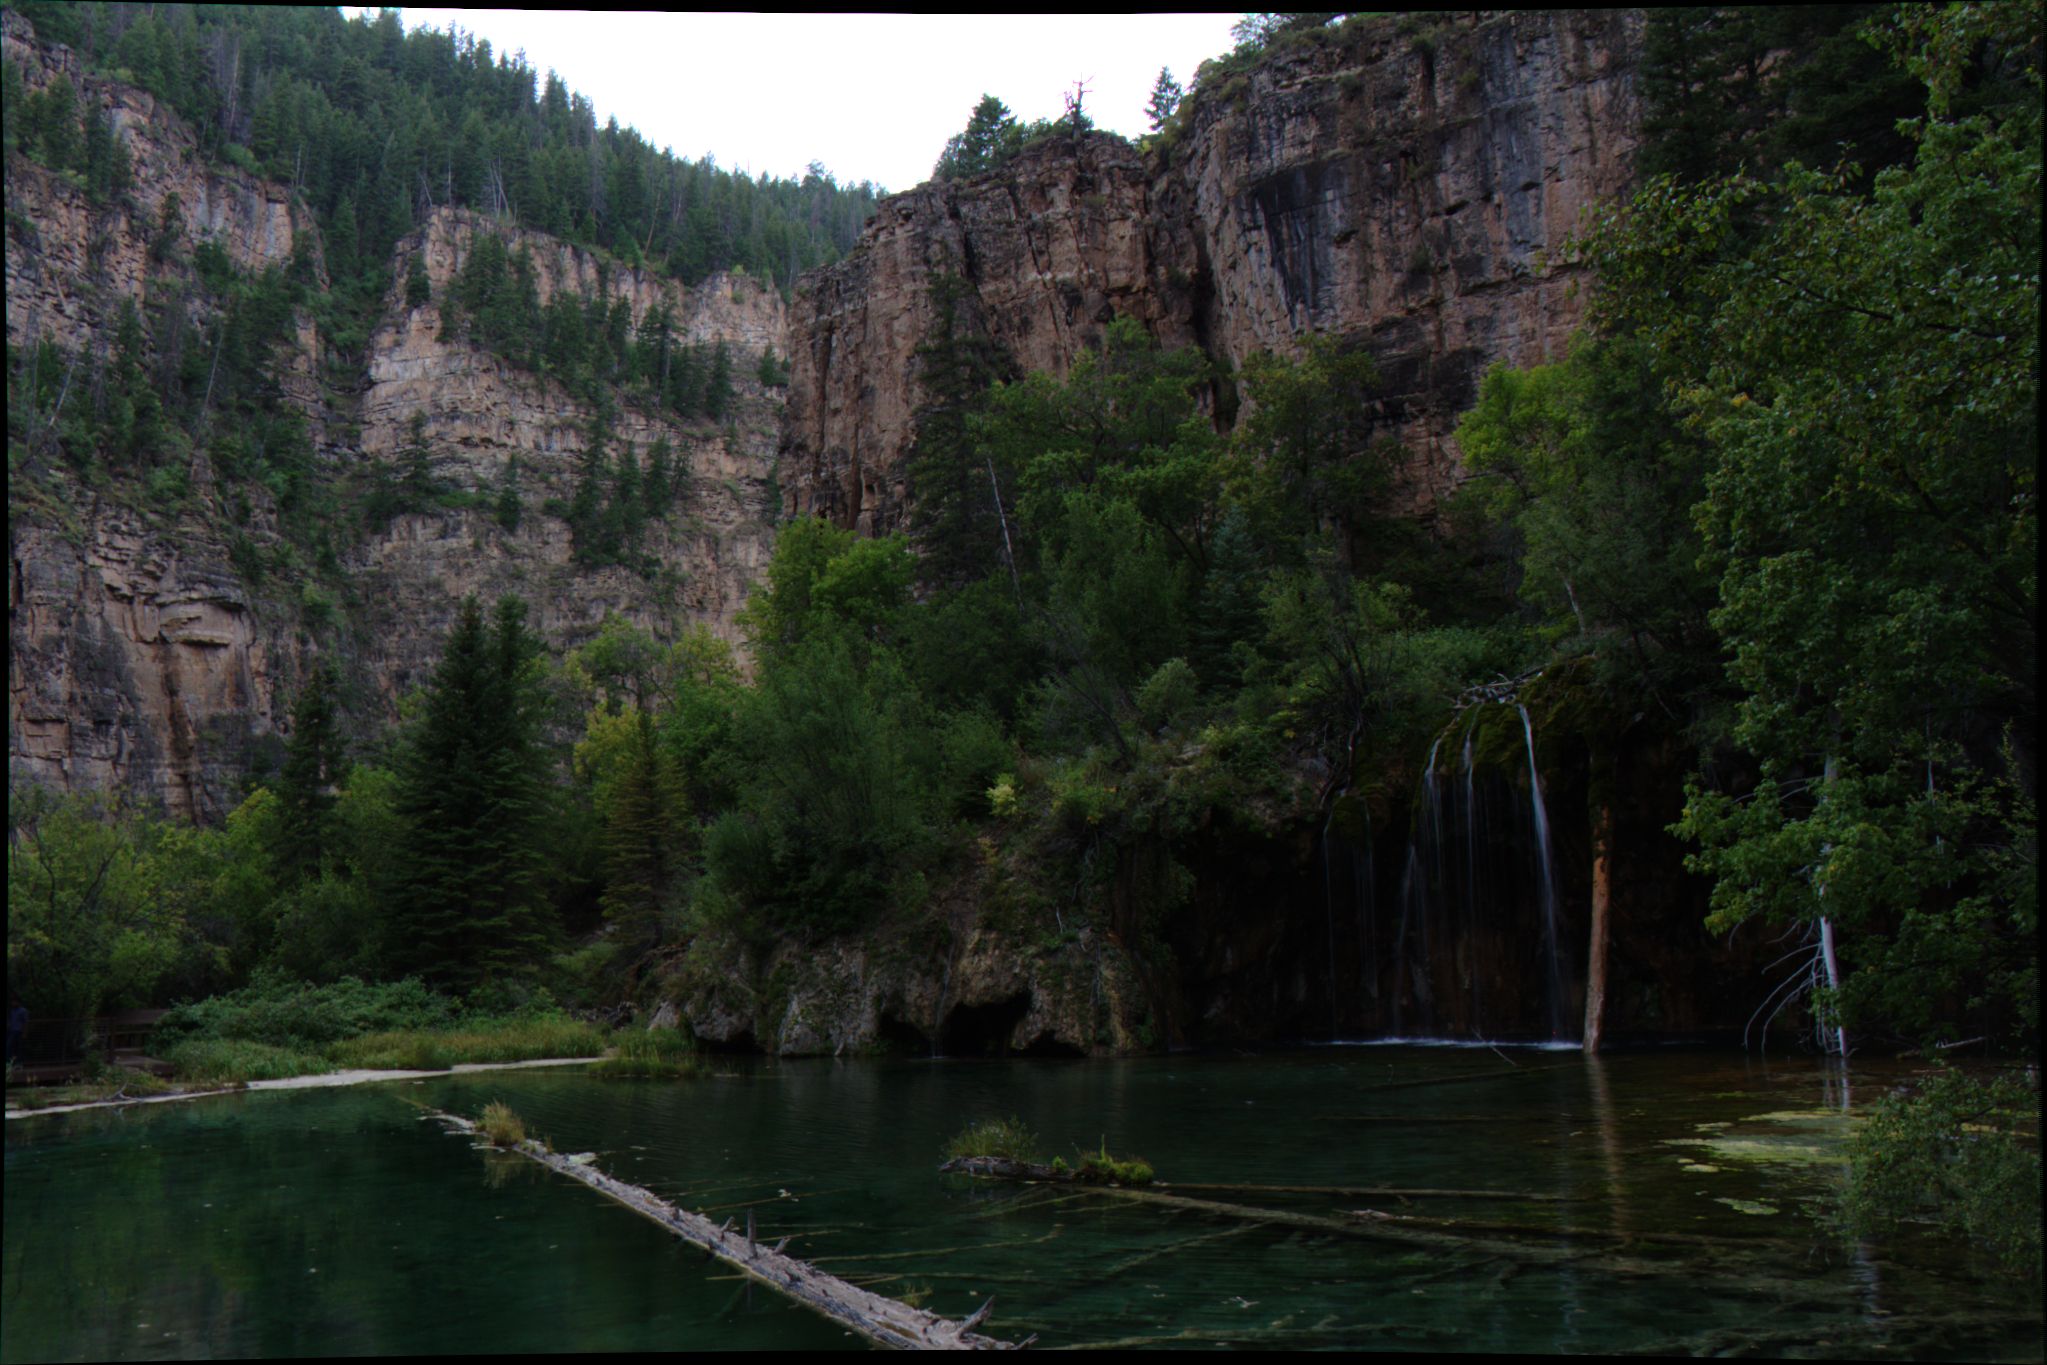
column 1868, row 378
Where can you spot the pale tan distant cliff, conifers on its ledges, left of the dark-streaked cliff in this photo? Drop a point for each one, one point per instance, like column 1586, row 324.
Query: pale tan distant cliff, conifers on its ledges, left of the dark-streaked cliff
column 484, row 412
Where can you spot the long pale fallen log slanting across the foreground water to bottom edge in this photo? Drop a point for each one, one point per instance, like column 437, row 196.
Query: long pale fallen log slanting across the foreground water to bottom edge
column 883, row 1321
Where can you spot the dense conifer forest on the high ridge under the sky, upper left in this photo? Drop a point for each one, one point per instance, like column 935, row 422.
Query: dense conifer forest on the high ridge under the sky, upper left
column 376, row 126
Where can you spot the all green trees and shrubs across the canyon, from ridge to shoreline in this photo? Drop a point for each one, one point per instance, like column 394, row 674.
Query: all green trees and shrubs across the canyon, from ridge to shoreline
column 1761, row 554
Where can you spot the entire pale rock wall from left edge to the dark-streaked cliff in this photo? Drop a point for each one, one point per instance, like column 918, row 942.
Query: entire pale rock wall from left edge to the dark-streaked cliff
column 144, row 656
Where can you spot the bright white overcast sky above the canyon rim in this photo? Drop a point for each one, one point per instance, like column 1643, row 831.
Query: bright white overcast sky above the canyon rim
column 873, row 97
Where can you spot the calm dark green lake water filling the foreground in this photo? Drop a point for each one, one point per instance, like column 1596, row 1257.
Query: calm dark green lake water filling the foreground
column 1647, row 1202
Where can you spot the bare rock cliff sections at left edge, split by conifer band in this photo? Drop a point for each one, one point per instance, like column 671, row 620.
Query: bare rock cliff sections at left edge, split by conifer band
column 136, row 654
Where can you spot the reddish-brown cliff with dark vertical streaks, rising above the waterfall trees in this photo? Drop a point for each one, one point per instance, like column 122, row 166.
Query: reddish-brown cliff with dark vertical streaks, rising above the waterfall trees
column 1401, row 187
